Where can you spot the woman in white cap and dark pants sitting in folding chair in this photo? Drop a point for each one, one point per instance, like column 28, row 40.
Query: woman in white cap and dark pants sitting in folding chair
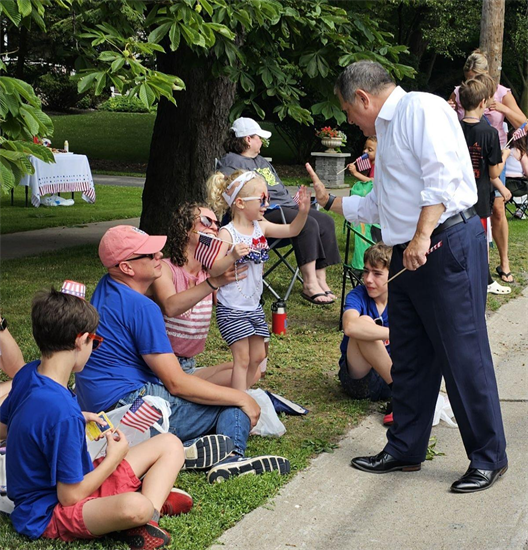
column 316, row 246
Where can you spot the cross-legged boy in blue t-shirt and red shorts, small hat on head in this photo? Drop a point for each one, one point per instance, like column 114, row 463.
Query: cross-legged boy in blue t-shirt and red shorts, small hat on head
column 57, row 491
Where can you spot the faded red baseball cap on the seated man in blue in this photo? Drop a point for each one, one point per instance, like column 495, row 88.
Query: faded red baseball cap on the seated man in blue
column 122, row 241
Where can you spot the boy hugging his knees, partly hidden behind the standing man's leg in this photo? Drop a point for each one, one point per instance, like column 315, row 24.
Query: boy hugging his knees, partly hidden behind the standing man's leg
column 364, row 367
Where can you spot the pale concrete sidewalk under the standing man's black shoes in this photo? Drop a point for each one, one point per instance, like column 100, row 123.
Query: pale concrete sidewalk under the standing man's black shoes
column 331, row 506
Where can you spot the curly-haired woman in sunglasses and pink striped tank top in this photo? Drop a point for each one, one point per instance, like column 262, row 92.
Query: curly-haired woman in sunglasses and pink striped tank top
column 185, row 292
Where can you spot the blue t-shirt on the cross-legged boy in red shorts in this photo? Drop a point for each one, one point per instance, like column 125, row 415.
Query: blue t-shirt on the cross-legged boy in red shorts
column 46, row 443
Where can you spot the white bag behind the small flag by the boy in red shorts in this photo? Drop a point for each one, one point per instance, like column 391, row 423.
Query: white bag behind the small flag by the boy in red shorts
column 97, row 449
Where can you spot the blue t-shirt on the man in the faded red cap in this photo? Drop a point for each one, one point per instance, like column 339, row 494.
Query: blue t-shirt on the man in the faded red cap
column 132, row 325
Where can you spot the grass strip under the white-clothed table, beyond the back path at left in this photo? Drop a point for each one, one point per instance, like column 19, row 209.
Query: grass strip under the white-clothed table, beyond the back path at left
column 113, row 203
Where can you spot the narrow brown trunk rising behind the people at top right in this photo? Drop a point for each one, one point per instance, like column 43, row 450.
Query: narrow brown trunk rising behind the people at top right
column 491, row 35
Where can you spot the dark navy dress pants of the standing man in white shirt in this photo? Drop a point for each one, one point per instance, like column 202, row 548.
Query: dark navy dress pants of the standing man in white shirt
column 438, row 328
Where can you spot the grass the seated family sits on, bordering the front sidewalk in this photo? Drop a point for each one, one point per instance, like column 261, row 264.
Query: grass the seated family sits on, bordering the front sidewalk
column 302, row 366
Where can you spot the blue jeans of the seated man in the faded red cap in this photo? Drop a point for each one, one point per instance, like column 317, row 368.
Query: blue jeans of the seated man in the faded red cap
column 190, row 420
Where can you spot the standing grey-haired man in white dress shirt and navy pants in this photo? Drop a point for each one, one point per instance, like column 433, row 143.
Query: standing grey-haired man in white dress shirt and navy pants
column 423, row 196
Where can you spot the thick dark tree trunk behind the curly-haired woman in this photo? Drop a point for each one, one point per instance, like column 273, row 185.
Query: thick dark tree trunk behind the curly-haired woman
column 186, row 139
